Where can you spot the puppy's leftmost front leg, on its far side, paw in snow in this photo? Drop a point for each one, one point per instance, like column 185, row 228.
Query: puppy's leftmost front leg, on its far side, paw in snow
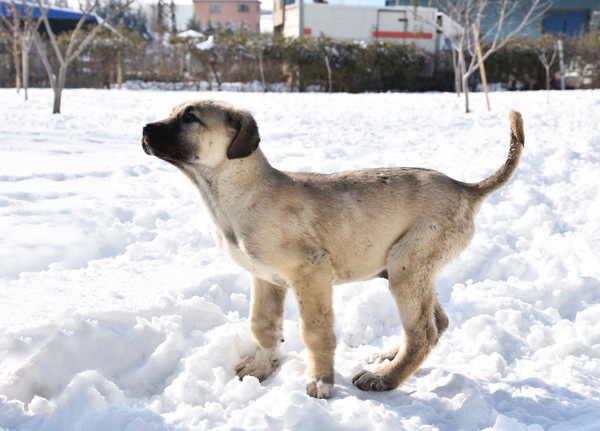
column 266, row 324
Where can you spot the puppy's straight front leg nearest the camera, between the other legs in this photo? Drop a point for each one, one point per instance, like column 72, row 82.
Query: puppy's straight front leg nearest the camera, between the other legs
column 316, row 325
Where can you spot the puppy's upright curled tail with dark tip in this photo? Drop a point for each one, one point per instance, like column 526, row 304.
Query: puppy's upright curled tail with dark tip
column 502, row 175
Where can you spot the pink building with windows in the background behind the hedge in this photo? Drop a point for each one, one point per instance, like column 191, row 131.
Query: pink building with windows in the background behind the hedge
column 241, row 13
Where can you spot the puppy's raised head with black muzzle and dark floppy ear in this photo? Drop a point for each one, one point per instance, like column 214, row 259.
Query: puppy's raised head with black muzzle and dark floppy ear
column 202, row 132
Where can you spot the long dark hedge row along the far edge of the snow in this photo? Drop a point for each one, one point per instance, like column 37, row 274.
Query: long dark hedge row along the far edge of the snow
column 304, row 64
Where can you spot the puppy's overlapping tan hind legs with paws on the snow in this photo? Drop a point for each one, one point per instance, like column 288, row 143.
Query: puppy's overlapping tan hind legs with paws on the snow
column 412, row 270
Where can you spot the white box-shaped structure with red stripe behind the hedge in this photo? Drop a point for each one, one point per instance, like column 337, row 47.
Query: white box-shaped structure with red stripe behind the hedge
column 401, row 24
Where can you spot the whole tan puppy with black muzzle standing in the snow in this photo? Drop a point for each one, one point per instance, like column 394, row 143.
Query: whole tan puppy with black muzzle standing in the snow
column 307, row 232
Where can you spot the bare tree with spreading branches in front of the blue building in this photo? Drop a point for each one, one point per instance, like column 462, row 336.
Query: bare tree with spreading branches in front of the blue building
column 499, row 21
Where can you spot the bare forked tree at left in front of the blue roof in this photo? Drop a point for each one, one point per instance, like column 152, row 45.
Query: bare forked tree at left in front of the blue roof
column 78, row 41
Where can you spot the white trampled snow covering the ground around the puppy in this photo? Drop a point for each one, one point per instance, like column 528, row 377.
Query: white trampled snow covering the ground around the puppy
column 118, row 312
